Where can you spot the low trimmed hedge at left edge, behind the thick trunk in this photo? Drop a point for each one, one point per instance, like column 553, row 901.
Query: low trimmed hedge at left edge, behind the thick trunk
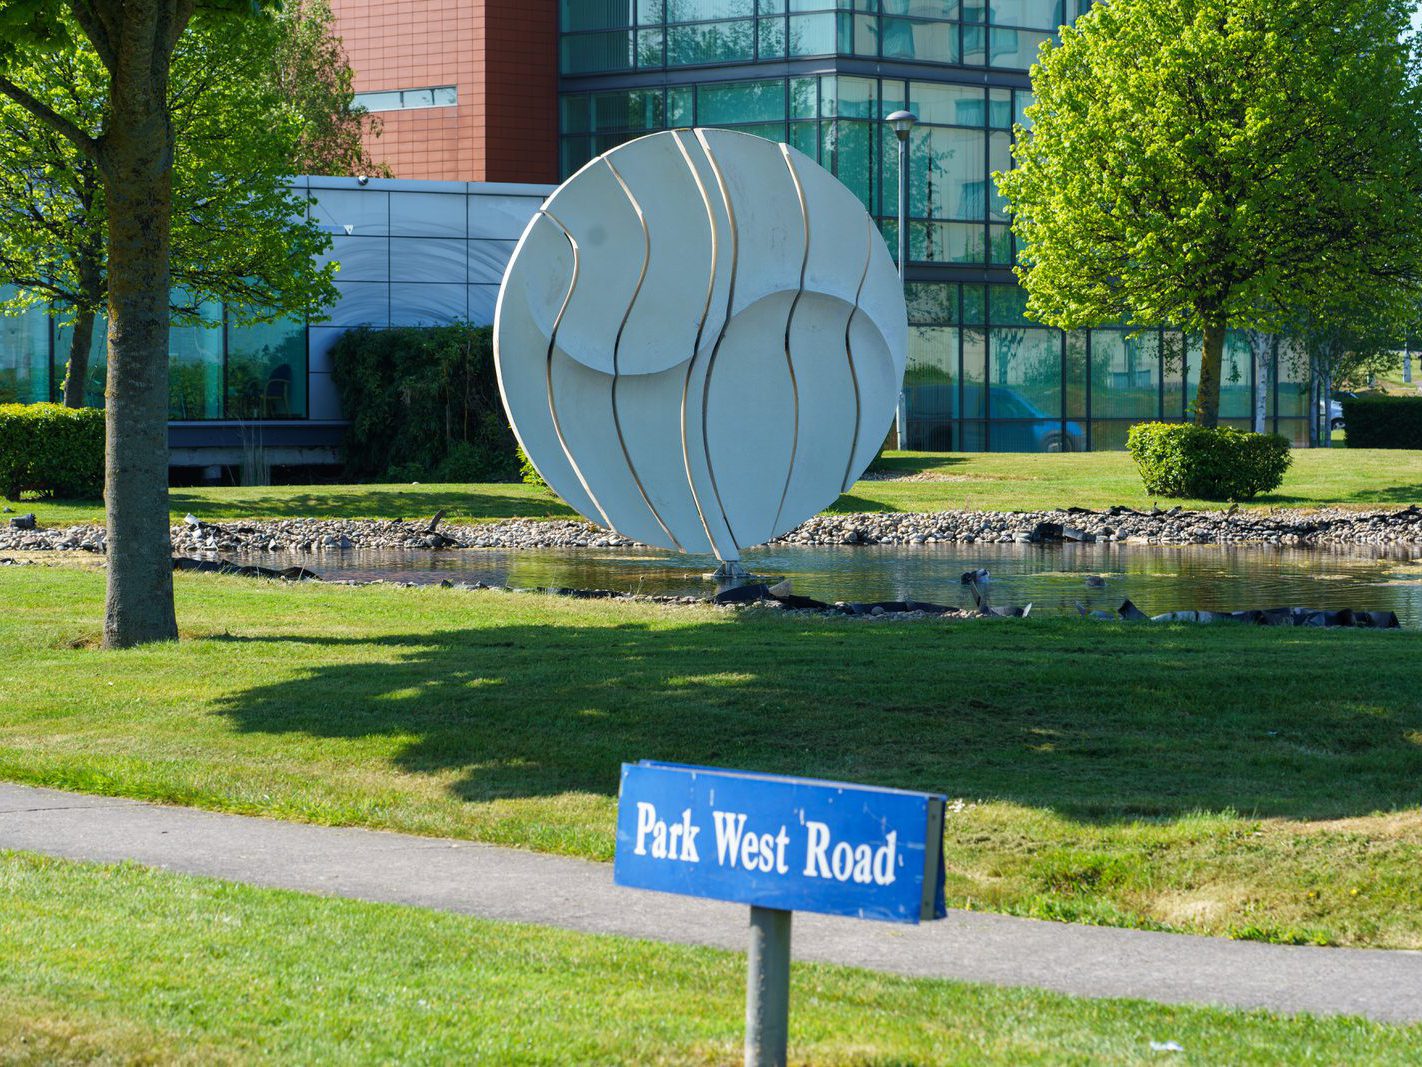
column 52, row 449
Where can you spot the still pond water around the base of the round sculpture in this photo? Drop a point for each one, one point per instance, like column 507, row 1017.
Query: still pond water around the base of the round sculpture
column 1052, row 578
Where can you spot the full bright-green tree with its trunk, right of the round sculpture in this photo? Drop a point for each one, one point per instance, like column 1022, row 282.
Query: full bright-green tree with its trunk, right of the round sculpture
column 1215, row 164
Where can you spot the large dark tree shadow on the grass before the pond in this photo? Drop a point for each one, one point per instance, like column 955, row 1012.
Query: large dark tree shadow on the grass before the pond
column 1098, row 723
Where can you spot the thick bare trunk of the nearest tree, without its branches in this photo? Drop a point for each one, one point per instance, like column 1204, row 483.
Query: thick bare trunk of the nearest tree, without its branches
column 137, row 163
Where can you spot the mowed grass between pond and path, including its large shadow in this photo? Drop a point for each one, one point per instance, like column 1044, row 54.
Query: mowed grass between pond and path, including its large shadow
column 1246, row 782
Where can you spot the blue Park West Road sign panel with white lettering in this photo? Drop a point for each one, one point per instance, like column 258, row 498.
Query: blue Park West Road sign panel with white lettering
column 790, row 844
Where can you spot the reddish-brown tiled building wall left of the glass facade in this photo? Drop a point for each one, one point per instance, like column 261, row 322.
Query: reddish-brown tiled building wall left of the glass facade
column 501, row 56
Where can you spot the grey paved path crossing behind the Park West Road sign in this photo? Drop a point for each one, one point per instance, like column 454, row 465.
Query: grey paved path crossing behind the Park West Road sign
column 555, row 891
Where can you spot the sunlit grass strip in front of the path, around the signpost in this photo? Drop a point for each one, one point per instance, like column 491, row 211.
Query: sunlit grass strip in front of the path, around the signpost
column 132, row 965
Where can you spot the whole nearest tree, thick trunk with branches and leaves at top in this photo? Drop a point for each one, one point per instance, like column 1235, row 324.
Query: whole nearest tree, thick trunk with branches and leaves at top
column 134, row 149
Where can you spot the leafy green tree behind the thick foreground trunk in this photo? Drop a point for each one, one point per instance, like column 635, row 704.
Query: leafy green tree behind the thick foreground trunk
column 240, row 233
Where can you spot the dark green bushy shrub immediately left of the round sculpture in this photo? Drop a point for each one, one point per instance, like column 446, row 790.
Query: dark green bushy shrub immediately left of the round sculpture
column 423, row 406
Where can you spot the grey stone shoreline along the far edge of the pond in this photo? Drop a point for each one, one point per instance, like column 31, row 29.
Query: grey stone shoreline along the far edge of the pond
column 1322, row 527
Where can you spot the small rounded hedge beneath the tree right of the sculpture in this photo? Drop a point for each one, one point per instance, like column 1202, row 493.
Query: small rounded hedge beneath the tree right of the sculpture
column 1197, row 463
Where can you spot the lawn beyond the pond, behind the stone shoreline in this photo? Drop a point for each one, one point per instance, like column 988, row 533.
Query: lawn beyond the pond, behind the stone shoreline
column 992, row 482
